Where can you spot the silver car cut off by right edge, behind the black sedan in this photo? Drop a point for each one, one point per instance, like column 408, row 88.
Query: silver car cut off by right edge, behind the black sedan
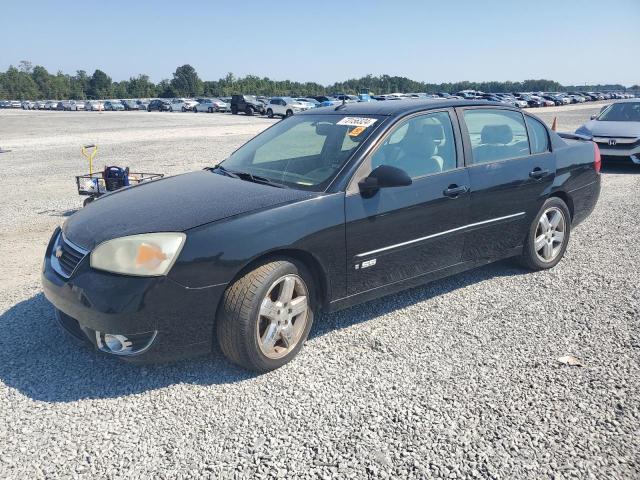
column 616, row 130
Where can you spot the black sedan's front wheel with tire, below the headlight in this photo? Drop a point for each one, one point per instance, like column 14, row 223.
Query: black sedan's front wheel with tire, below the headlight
column 266, row 316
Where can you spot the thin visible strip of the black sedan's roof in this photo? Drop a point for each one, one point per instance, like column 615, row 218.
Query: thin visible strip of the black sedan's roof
column 399, row 107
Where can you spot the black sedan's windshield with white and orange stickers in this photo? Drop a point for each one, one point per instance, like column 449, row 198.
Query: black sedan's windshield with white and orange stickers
column 304, row 151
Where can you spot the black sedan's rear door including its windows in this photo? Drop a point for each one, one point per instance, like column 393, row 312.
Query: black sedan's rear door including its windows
column 511, row 170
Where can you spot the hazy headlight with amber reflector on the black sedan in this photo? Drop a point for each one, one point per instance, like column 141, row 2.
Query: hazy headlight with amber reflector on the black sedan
column 146, row 255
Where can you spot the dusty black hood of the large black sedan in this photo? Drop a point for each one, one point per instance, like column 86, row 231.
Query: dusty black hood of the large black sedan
column 173, row 204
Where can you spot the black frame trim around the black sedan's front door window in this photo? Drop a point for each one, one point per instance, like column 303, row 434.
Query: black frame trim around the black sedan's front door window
column 365, row 164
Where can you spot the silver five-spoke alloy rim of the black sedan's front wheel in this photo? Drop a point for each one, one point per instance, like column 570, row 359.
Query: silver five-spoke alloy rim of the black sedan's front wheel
column 283, row 316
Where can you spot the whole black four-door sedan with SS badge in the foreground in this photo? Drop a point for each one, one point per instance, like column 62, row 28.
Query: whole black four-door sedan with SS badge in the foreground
column 322, row 211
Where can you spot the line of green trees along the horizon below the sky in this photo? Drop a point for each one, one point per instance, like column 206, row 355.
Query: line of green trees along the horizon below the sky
column 34, row 82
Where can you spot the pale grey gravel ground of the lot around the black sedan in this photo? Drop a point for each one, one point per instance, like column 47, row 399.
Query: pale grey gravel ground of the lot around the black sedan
column 457, row 379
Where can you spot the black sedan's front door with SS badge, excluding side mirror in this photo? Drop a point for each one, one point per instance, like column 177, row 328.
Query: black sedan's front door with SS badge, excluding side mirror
column 405, row 232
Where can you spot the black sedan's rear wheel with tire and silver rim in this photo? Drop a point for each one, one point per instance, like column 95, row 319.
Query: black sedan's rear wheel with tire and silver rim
column 548, row 236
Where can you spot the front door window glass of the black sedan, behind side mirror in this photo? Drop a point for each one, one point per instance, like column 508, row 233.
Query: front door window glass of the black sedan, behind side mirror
column 420, row 146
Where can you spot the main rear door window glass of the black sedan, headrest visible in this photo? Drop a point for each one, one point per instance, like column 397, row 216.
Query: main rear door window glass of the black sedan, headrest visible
column 496, row 134
